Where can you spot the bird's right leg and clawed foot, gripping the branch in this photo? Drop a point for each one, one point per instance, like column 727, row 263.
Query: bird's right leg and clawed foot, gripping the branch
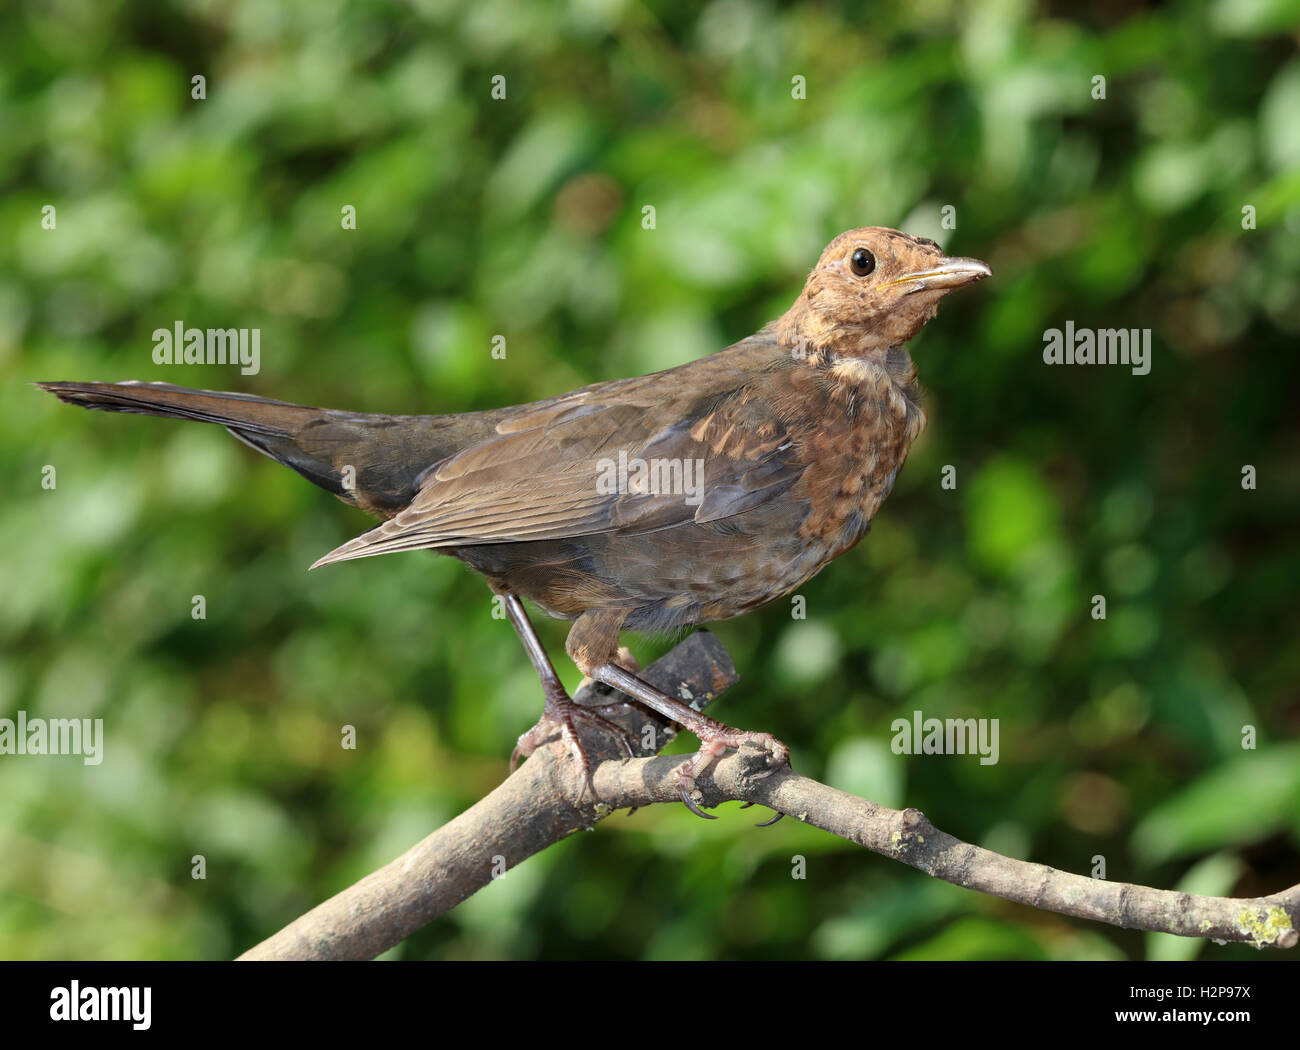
column 716, row 739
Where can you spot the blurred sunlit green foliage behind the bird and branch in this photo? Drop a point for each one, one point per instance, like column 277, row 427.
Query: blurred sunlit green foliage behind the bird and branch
column 1120, row 739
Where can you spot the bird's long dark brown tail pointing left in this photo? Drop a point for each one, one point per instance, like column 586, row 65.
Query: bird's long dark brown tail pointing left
column 369, row 461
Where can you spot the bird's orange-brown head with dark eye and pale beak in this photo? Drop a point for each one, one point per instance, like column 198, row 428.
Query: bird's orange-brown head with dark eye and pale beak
column 874, row 288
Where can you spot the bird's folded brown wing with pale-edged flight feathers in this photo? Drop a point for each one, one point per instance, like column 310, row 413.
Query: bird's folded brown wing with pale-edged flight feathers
column 573, row 467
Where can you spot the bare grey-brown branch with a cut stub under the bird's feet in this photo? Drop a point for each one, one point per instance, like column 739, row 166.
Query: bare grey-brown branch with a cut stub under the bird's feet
column 535, row 809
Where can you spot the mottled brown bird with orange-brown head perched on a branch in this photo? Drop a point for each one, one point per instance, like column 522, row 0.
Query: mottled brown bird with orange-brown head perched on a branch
column 653, row 504
